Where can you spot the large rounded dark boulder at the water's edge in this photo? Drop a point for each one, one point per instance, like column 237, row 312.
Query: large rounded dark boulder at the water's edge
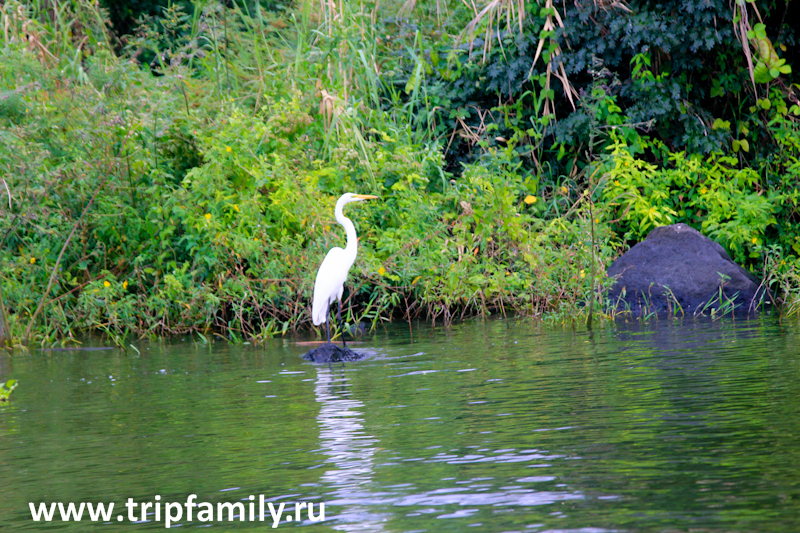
column 680, row 259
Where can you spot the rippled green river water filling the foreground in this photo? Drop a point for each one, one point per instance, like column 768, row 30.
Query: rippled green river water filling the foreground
column 490, row 426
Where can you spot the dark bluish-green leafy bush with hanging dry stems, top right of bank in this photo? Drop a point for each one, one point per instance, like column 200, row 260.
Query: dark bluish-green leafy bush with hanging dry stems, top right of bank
column 672, row 69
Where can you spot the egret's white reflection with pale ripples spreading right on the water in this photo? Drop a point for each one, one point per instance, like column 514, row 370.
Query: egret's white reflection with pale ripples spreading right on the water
column 351, row 454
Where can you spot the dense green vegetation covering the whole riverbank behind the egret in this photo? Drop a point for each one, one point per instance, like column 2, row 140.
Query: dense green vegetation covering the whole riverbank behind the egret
column 181, row 177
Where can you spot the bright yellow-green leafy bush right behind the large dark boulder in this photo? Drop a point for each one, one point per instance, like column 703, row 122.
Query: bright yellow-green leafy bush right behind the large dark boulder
column 710, row 193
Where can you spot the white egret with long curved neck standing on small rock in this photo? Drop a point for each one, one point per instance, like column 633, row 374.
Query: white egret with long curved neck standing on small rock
column 332, row 273
